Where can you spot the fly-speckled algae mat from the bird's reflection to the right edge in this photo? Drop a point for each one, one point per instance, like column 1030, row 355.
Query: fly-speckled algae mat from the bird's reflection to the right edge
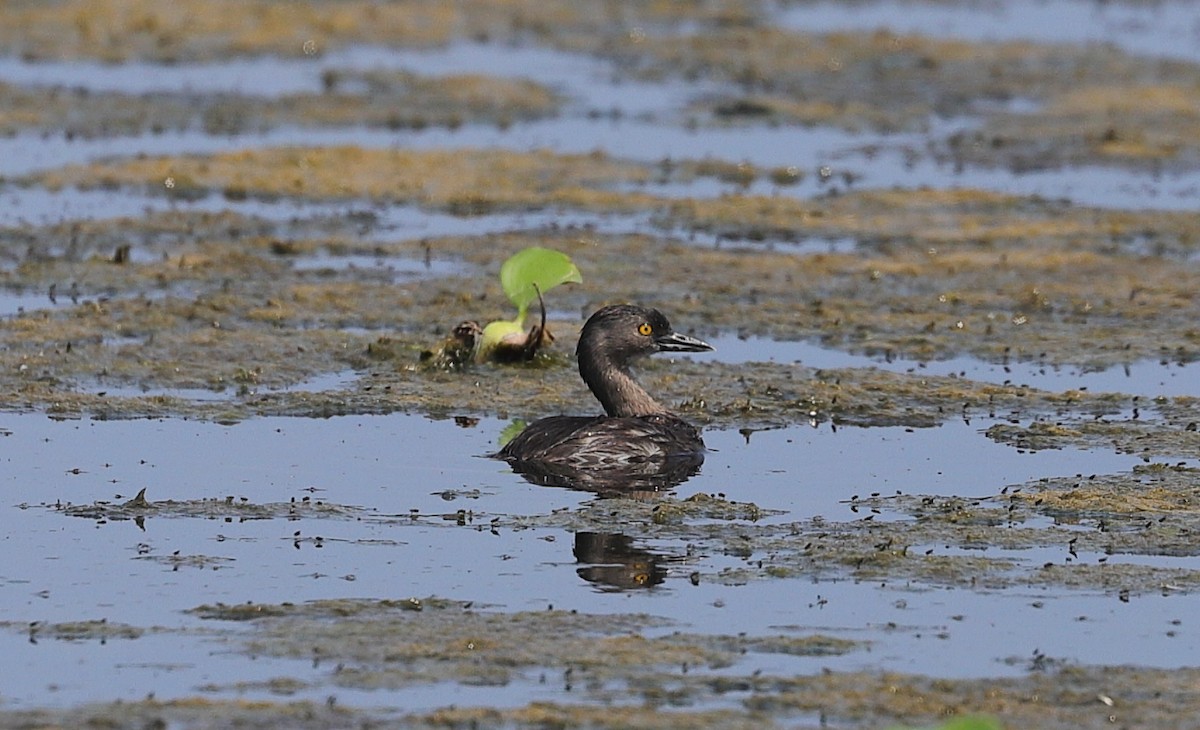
column 1089, row 524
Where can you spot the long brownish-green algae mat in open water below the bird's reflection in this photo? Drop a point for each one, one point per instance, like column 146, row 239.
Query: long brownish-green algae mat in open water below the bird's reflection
column 393, row 644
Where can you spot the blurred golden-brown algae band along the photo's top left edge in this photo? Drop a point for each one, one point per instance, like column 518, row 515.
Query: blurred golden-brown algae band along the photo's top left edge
column 118, row 31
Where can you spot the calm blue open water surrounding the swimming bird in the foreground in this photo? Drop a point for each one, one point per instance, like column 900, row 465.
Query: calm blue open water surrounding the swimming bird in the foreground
column 68, row 569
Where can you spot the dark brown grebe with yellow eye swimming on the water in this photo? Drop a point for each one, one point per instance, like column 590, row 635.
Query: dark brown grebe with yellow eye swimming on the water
column 638, row 429
